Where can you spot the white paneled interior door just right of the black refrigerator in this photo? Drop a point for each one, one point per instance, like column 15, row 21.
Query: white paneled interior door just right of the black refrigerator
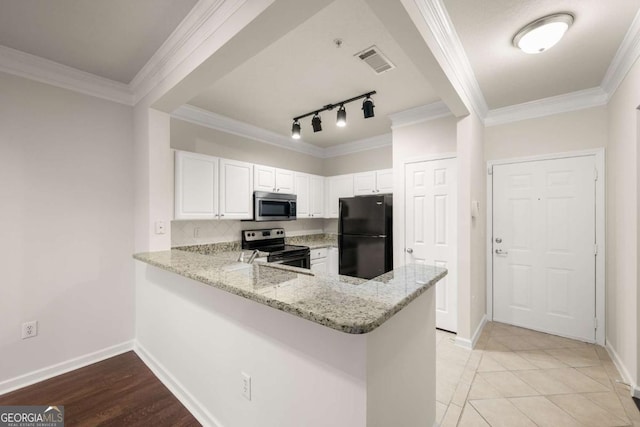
column 431, row 229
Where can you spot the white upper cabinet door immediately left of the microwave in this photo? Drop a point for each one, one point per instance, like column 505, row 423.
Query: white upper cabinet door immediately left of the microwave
column 236, row 189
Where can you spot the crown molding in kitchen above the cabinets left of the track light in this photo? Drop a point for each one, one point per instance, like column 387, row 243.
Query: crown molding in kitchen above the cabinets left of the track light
column 198, row 116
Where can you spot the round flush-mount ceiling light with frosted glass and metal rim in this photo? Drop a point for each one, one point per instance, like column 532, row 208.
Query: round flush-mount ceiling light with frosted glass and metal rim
column 543, row 33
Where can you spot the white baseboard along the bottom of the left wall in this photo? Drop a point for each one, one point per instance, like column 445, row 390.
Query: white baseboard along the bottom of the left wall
column 63, row 367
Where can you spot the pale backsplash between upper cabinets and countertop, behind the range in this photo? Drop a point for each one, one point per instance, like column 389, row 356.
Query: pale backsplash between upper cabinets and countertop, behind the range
column 200, row 232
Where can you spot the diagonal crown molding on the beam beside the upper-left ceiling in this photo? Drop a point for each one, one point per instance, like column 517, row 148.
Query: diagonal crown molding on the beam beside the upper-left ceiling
column 206, row 17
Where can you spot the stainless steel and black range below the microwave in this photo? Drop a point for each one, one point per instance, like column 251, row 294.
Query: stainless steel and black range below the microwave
column 271, row 241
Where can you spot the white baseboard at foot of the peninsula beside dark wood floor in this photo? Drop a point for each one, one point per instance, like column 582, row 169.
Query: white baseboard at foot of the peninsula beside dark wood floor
column 192, row 404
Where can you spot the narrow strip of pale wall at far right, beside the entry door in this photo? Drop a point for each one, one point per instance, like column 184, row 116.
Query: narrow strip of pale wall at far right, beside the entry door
column 622, row 225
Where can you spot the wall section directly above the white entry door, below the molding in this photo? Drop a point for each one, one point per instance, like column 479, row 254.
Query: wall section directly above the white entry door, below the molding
column 573, row 131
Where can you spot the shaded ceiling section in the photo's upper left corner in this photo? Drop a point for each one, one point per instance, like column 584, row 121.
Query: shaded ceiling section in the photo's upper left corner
column 111, row 39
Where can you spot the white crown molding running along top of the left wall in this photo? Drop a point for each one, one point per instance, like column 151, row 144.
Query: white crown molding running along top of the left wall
column 33, row 67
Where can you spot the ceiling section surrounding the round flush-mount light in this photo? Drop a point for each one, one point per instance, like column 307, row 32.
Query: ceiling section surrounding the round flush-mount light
column 508, row 76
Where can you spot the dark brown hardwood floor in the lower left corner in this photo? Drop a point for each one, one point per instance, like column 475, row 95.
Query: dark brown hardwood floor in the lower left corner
column 120, row 391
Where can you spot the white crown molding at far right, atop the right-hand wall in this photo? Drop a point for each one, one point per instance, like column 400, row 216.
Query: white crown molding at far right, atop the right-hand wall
column 625, row 57
